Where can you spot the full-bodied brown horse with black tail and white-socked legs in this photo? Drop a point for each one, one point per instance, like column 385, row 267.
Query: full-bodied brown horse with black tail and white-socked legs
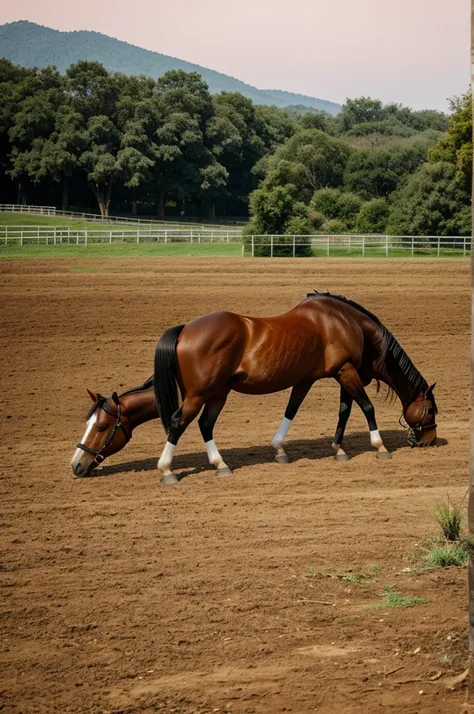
column 324, row 336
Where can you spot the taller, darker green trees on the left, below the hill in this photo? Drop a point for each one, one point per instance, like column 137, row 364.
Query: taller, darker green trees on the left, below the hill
column 131, row 139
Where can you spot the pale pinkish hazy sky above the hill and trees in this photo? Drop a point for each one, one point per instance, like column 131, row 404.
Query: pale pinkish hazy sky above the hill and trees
column 411, row 51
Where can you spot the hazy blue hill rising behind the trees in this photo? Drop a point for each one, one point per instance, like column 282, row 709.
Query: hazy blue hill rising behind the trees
column 31, row 45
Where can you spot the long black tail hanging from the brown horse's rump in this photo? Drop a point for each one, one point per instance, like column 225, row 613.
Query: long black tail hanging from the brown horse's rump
column 165, row 378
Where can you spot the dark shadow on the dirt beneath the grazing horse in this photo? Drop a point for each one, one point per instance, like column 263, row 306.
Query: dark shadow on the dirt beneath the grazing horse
column 314, row 449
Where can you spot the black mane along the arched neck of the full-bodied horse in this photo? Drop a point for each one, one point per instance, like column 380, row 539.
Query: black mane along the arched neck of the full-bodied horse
column 392, row 354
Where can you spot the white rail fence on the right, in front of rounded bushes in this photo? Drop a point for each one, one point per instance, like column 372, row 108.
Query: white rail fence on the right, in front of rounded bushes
column 352, row 244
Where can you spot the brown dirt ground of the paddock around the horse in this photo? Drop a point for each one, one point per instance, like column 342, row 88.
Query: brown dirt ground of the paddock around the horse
column 122, row 595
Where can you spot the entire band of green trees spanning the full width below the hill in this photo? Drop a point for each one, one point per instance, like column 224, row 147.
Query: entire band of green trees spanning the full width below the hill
column 169, row 146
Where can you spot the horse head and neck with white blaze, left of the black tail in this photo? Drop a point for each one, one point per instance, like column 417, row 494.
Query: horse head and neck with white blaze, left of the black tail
column 110, row 424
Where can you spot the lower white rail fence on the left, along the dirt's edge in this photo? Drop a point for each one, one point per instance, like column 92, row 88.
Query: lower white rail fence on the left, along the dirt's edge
column 52, row 235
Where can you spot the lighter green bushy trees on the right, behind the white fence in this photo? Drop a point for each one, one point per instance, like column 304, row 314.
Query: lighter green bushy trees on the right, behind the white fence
column 371, row 169
